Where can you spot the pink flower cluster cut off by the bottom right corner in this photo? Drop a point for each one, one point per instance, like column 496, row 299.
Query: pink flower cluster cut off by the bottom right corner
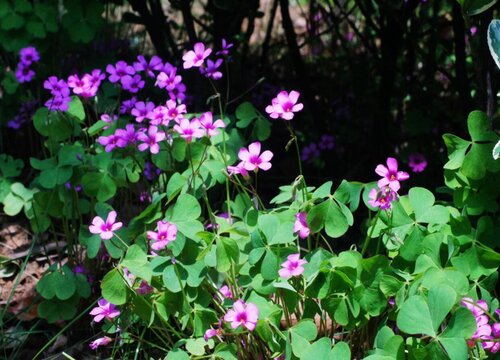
column 485, row 332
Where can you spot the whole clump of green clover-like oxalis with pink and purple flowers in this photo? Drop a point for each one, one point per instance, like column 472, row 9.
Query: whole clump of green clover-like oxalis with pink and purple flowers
column 165, row 205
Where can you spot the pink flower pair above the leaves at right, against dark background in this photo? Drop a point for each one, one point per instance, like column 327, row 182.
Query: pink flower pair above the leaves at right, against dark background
column 388, row 185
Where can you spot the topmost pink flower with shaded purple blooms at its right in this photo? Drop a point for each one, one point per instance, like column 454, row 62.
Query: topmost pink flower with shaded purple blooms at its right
column 197, row 57
